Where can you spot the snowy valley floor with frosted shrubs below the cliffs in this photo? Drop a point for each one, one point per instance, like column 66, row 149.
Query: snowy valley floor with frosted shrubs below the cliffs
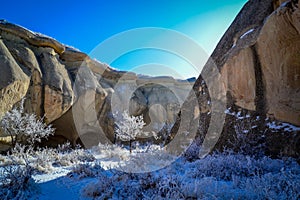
column 149, row 172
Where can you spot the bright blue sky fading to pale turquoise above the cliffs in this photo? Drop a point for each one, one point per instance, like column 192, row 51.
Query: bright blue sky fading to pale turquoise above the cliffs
column 85, row 24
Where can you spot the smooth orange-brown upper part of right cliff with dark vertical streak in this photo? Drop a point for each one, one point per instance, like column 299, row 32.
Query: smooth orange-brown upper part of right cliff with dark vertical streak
column 262, row 67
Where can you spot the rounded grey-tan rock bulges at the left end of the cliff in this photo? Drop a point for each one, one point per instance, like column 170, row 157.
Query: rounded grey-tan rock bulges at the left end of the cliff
column 48, row 90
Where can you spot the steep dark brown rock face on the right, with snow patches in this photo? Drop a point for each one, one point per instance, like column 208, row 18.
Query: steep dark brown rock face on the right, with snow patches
column 258, row 64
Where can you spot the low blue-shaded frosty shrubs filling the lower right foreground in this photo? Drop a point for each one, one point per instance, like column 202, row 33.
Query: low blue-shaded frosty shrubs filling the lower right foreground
column 218, row 176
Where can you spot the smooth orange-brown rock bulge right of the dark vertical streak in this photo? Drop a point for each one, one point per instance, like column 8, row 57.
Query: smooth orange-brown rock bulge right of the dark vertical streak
column 278, row 48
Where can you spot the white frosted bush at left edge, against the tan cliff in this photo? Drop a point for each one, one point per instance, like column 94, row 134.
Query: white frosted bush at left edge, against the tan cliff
column 24, row 127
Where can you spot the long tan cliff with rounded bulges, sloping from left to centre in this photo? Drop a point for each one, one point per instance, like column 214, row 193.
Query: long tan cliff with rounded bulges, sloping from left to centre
column 75, row 93
